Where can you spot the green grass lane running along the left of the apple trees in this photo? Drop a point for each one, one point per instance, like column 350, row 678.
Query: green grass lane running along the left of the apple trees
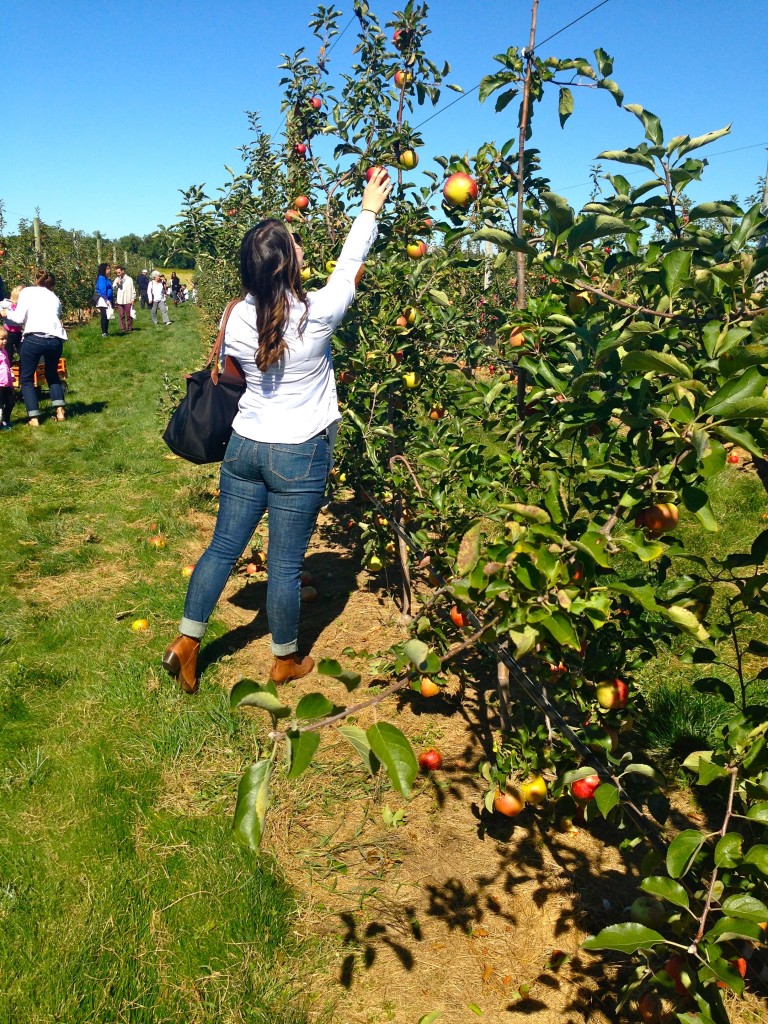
column 123, row 897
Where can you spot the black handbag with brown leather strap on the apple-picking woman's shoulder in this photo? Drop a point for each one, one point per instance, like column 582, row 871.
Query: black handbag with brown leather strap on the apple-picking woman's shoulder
column 202, row 424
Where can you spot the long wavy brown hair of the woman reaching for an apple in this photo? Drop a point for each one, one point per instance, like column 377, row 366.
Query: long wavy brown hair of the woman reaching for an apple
column 271, row 273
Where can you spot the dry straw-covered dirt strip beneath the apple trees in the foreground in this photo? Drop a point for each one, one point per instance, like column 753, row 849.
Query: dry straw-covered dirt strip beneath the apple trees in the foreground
column 447, row 910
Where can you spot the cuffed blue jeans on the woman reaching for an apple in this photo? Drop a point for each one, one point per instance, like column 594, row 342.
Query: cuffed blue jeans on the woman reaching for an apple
column 287, row 481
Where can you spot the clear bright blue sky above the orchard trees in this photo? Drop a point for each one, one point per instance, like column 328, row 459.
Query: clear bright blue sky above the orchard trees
column 112, row 108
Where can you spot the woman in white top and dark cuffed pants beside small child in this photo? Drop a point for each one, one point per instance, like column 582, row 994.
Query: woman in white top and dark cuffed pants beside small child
column 38, row 313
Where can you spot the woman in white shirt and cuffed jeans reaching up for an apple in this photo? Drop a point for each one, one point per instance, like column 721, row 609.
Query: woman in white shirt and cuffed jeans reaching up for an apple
column 279, row 457
